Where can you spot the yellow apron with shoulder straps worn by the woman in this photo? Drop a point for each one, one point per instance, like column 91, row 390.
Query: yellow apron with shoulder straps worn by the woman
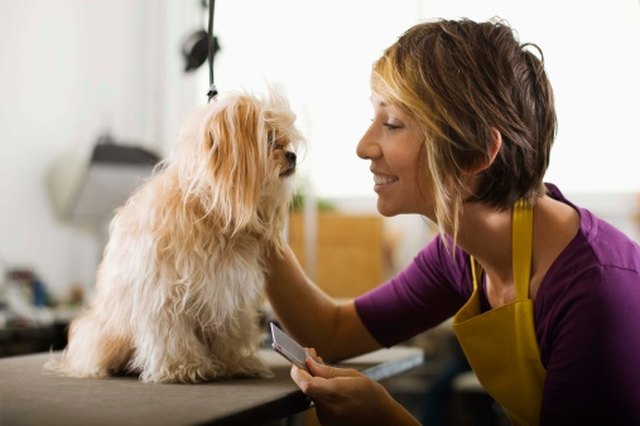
column 501, row 344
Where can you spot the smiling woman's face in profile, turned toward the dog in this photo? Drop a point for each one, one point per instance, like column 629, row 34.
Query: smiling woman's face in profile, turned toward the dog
column 395, row 146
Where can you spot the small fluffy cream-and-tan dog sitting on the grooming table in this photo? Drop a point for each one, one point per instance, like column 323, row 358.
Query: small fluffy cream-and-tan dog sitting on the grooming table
column 182, row 277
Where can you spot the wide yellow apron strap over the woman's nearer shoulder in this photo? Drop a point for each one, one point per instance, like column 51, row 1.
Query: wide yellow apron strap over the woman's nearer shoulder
column 521, row 240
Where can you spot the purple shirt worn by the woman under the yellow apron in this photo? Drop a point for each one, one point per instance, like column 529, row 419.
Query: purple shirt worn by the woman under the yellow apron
column 586, row 316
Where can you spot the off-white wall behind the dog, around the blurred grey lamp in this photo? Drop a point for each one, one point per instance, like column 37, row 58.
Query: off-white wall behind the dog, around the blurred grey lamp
column 69, row 70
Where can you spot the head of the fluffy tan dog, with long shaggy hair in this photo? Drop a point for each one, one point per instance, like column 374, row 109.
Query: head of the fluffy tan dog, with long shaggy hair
column 237, row 158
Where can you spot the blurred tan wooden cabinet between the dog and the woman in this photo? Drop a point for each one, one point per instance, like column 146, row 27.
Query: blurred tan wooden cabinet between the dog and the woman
column 349, row 251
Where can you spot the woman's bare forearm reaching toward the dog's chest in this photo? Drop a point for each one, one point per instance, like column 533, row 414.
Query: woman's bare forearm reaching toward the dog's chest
column 310, row 315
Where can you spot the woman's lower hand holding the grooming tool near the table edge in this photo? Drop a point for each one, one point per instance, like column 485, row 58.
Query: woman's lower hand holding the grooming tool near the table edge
column 347, row 397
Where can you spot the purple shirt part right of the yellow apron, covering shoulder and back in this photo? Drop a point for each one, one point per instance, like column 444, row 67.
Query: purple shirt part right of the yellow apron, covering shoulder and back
column 587, row 316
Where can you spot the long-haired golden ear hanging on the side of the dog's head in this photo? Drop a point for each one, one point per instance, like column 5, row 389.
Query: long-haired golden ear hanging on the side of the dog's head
column 235, row 147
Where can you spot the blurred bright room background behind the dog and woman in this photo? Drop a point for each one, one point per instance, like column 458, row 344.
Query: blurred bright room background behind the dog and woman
column 94, row 92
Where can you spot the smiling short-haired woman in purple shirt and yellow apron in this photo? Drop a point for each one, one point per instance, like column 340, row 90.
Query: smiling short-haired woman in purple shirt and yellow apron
column 545, row 296
